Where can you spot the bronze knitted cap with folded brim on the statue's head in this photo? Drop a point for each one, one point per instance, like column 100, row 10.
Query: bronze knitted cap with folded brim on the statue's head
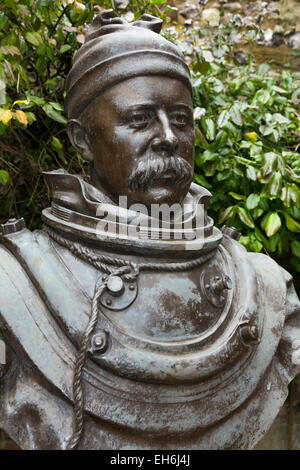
column 115, row 50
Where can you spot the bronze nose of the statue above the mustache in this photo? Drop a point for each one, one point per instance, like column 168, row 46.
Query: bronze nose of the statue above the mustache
column 165, row 140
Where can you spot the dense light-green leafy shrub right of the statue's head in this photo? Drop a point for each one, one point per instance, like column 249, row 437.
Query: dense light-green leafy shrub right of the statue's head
column 248, row 135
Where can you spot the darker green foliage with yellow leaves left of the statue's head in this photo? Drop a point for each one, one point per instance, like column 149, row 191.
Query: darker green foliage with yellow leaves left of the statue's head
column 37, row 41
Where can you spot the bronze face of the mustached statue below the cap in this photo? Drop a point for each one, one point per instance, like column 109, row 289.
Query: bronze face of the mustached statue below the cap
column 141, row 136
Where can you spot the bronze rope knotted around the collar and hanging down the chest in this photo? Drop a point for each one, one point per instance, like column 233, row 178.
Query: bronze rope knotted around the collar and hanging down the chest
column 112, row 266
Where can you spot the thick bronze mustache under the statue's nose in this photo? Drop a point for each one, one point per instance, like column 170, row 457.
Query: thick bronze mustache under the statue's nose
column 152, row 168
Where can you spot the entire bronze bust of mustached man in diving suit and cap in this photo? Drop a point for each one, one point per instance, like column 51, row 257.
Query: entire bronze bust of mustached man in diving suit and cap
column 126, row 335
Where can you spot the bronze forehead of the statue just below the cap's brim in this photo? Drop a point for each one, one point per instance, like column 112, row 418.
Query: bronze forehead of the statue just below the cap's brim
column 151, row 90
